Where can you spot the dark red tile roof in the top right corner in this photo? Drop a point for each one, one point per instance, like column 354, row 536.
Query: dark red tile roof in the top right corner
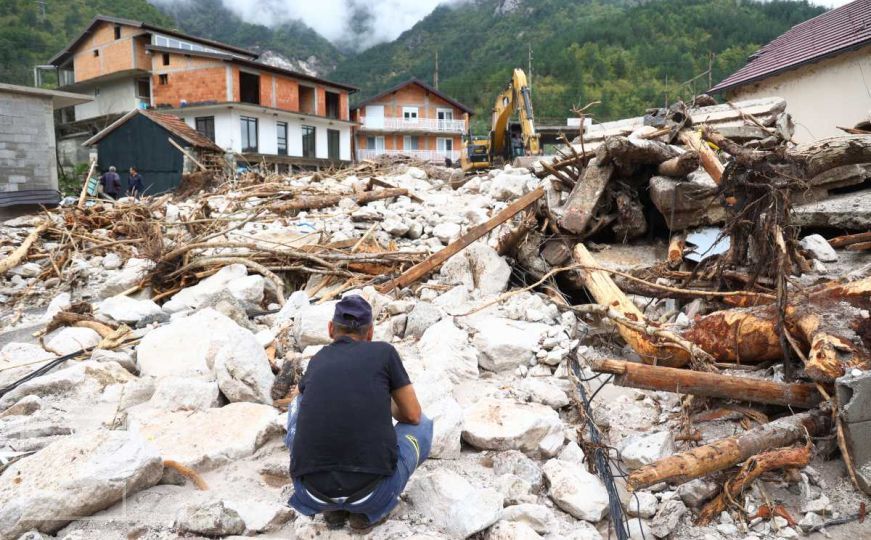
column 845, row 28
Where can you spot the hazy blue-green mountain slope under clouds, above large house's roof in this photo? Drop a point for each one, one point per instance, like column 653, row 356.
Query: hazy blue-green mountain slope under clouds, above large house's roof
column 302, row 47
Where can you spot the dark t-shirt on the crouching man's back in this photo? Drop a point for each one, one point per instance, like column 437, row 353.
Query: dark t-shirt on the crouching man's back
column 344, row 434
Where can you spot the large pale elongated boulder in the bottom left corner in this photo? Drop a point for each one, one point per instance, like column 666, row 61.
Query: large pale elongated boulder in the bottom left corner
column 74, row 477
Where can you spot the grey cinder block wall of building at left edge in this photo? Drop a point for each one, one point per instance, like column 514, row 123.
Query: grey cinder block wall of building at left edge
column 27, row 144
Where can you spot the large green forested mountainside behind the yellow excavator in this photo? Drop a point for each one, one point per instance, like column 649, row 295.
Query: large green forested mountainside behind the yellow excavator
column 629, row 55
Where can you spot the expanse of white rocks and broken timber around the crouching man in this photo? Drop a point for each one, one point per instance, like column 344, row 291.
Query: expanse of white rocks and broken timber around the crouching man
column 148, row 349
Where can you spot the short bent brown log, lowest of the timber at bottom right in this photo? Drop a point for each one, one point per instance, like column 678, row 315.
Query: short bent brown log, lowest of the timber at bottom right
column 755, row 467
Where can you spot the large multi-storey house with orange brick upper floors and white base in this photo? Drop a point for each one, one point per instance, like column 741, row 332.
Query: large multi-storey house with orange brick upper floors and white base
column 255, row 110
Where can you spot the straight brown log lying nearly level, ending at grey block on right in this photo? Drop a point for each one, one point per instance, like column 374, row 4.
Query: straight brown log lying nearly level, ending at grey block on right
column 700, row 383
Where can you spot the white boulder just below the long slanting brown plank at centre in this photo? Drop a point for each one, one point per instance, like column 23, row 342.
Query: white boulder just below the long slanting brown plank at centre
column 478, row 267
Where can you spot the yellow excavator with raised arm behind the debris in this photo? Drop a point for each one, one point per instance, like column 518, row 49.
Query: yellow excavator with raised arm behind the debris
column 507, row 140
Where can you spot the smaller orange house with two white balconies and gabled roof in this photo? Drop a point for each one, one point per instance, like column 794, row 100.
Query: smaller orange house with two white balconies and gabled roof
column 412, row 119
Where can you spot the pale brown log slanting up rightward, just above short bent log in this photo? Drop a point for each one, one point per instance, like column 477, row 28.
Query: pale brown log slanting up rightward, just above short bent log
column 730, row 451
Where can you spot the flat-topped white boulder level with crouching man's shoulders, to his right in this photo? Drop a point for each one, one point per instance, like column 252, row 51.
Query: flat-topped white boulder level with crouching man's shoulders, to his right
column 505, row 344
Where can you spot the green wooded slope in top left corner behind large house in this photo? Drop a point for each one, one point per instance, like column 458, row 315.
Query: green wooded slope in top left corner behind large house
column 31, row 32
